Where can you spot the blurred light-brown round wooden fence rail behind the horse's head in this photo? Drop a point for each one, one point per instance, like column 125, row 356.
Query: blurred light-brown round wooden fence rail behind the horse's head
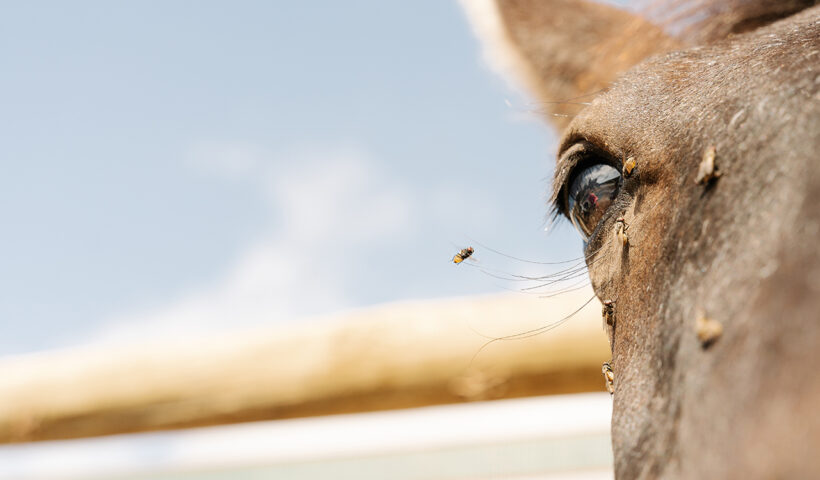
column 393, row 356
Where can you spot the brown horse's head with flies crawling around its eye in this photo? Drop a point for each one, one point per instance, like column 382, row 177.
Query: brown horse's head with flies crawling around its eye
column 692, row 176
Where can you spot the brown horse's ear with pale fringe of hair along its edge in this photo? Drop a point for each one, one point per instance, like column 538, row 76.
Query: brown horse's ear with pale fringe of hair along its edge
column 561, row 50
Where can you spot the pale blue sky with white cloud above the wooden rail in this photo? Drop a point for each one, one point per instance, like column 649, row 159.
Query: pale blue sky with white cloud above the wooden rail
column 177, row 168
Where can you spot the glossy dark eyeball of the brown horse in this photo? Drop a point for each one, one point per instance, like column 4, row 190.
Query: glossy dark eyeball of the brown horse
column 590, row 194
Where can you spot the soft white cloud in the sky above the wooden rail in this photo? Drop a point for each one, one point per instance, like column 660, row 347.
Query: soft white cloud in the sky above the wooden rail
column 328, row 201
